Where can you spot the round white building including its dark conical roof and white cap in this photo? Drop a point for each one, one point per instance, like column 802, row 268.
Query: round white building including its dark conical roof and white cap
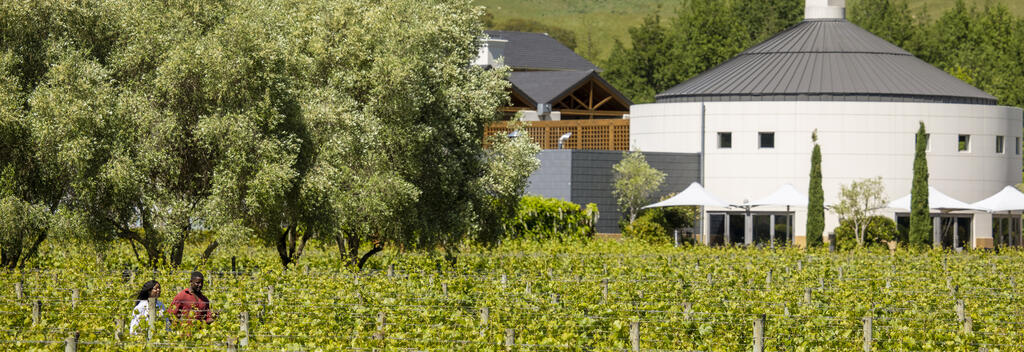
column 864, row 96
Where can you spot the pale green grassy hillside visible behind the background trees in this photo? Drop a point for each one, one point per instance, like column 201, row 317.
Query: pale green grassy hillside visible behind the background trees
column 600, row 23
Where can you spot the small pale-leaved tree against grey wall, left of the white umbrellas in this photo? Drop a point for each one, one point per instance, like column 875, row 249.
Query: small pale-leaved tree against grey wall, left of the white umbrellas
column 634, row 184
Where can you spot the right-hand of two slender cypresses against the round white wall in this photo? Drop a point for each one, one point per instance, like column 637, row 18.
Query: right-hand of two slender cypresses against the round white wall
column 921, row 222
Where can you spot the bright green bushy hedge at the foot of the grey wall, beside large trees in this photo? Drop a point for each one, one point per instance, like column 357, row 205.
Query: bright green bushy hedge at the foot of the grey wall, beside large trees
column 544, row 219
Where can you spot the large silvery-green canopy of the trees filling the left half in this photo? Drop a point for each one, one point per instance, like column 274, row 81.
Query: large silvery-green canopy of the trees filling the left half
column 355, row 122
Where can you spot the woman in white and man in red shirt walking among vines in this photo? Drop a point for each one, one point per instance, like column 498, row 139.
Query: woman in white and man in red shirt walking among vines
column 188, row 306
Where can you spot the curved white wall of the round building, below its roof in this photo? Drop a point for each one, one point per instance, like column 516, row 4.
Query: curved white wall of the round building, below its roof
column 859, row 141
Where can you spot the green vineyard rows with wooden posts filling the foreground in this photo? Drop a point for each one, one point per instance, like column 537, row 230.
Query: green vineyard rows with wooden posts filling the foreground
column 600, row 296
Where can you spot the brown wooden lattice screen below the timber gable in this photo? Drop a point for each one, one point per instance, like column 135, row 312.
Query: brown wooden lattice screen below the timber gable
column 601, row 135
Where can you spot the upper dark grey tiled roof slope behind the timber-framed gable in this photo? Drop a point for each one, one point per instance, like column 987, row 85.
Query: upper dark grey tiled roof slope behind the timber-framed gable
column 538, row 52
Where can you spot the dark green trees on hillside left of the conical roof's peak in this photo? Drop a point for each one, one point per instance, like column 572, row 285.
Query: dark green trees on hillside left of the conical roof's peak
column 704, row 34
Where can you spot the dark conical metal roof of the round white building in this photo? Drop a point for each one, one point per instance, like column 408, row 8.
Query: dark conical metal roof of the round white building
column 829, row 61
